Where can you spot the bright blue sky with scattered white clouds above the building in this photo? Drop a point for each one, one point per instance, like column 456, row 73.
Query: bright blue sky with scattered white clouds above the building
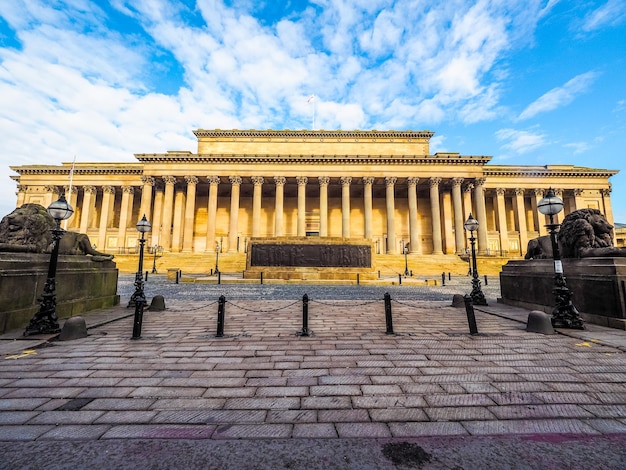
column 526, row 82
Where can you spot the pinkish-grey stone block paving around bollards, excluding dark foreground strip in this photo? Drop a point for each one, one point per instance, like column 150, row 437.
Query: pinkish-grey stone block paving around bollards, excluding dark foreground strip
column 349, row 379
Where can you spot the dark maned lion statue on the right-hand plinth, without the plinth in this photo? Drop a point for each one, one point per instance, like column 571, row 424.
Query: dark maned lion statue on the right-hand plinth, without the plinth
column 584, row 233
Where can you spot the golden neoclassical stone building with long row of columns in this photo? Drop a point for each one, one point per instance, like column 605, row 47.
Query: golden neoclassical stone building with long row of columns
column 382, row 186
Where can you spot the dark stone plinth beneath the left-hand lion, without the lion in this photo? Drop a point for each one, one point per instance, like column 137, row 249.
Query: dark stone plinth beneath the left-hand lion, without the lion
column 81, row 285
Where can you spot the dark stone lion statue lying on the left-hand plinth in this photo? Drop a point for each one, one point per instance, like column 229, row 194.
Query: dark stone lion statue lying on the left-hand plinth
column 27, row 229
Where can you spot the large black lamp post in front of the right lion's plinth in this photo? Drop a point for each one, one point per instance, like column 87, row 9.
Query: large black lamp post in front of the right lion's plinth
column 564, row 314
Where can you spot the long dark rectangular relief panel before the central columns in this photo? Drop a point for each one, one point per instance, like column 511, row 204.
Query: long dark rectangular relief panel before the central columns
column 310, row 255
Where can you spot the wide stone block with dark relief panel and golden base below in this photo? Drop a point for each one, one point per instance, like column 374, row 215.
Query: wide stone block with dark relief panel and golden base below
column 310, row 258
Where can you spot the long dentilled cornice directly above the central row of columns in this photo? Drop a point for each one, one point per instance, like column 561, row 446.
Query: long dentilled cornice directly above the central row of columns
column 313, row 159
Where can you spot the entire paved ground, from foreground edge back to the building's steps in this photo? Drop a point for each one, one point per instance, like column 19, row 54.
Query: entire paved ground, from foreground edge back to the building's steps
column 348, row 396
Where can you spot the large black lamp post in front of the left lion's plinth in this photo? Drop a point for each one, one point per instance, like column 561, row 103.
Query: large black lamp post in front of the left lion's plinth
column 45, row 320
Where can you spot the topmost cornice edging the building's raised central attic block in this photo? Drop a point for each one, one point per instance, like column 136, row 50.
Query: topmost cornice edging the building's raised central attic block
column 294, row 134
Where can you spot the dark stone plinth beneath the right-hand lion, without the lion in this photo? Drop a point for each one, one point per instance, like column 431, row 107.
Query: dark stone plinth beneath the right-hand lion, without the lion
column 598, row 286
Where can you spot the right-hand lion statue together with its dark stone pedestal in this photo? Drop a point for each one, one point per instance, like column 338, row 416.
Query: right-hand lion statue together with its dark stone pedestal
column 594, row 269
